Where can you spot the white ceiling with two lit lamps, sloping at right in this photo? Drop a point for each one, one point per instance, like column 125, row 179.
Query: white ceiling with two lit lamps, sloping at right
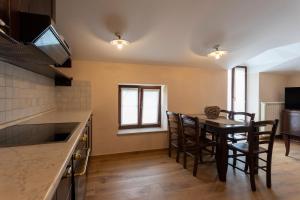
column 182, row 32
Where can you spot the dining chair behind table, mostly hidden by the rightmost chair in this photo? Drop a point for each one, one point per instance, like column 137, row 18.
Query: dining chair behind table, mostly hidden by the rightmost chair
column 236, row 137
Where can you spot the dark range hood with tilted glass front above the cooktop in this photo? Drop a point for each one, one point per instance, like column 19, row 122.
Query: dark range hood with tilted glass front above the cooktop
column 40, row 31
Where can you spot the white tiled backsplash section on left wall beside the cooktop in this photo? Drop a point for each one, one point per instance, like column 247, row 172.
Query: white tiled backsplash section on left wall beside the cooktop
column 23, row 93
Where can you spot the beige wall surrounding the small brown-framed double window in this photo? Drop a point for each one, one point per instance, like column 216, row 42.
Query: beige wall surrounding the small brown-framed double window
column 190, row 89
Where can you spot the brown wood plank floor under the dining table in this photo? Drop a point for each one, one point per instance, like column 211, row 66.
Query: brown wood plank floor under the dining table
column 155, row 176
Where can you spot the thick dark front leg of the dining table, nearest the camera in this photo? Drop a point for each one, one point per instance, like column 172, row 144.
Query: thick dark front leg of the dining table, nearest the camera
column 222, row 156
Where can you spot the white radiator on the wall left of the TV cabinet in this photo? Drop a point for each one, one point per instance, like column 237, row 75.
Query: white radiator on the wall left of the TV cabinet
column 271, row 111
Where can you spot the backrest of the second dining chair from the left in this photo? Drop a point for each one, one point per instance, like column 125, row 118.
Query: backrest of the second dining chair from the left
column 190, row 129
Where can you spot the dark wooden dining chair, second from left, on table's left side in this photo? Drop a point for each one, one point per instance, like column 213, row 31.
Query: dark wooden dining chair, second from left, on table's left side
column 194, row 140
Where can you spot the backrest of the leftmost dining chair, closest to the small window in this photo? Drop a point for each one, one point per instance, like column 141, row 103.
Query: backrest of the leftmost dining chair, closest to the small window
column 173, row 124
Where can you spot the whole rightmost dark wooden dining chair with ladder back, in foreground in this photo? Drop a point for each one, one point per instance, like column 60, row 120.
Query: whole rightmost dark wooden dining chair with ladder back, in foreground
column 253, row 149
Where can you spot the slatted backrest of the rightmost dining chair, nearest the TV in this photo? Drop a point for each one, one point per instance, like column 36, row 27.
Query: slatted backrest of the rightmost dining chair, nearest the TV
column 256, row 134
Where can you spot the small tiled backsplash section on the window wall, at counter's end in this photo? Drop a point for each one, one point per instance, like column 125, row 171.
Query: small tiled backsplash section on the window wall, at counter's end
column 77, row 97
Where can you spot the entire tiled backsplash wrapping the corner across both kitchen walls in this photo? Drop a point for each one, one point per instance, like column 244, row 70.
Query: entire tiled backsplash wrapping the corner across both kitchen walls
column 24, row 93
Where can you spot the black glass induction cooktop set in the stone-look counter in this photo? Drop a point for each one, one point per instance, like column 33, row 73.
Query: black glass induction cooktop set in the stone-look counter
column 31, row 134
